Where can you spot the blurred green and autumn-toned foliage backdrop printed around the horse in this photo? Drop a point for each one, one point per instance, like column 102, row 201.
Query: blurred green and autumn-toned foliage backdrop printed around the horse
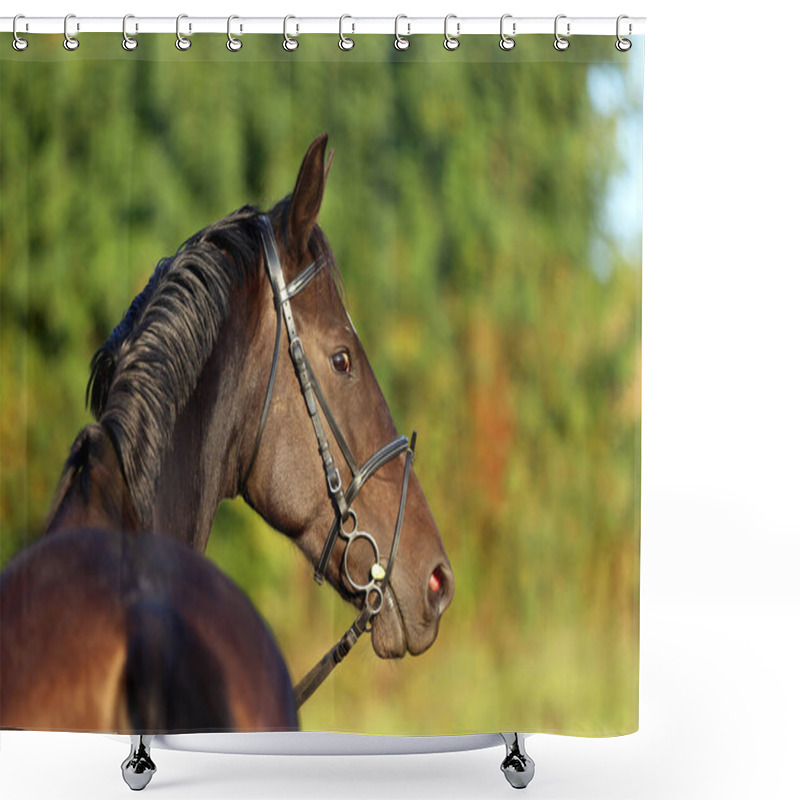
column 484, row 208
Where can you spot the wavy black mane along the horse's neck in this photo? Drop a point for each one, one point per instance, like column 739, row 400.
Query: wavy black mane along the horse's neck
column 143, row 375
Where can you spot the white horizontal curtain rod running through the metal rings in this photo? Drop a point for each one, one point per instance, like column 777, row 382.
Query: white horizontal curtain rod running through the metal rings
column 348, row 25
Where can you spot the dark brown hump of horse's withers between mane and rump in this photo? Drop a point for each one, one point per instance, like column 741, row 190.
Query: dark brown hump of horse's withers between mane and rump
column 92, row 492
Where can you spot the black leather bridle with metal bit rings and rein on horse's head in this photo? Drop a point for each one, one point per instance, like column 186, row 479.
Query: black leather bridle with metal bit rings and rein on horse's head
column 345, row 523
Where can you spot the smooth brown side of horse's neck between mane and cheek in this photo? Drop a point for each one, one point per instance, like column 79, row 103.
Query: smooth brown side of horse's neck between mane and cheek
column 202, row 466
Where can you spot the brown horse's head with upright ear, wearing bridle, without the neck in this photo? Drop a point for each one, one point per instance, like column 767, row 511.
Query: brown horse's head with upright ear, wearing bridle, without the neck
column 328, row 468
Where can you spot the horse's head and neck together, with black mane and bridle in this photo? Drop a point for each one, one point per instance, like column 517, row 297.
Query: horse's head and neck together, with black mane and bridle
column 177, row 382
